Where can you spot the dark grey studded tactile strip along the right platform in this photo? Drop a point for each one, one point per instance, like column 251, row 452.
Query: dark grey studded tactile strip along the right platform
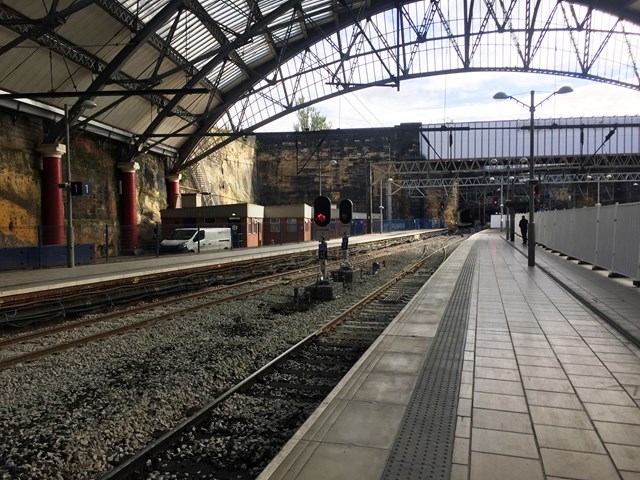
column 423, row 447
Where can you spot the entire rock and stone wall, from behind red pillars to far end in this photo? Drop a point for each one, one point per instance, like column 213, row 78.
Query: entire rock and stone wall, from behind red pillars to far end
column 267, row 169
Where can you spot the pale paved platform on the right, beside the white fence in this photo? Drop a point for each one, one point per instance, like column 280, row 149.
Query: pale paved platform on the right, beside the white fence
column 495, row 370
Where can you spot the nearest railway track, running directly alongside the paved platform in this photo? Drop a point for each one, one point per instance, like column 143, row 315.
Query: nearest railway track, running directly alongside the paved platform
column 232, row 437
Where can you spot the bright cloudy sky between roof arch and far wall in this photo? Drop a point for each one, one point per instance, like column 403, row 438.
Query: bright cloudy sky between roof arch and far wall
column 468, row 97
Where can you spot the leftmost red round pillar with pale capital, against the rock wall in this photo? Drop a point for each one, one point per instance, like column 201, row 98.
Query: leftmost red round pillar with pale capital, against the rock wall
column 52, row 194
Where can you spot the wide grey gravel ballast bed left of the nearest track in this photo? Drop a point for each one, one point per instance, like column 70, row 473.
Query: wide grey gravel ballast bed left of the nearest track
column 76, row 414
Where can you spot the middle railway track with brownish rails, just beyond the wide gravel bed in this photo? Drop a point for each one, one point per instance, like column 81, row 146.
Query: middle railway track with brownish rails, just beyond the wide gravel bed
column 31, row 346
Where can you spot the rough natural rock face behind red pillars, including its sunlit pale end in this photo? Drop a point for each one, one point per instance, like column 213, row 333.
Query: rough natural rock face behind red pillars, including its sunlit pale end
column 227, row 176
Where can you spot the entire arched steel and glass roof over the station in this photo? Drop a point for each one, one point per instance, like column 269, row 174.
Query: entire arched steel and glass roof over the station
column 168, row 72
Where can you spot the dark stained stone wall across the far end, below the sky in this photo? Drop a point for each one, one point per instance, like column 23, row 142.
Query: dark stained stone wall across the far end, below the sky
column 293, row 167
